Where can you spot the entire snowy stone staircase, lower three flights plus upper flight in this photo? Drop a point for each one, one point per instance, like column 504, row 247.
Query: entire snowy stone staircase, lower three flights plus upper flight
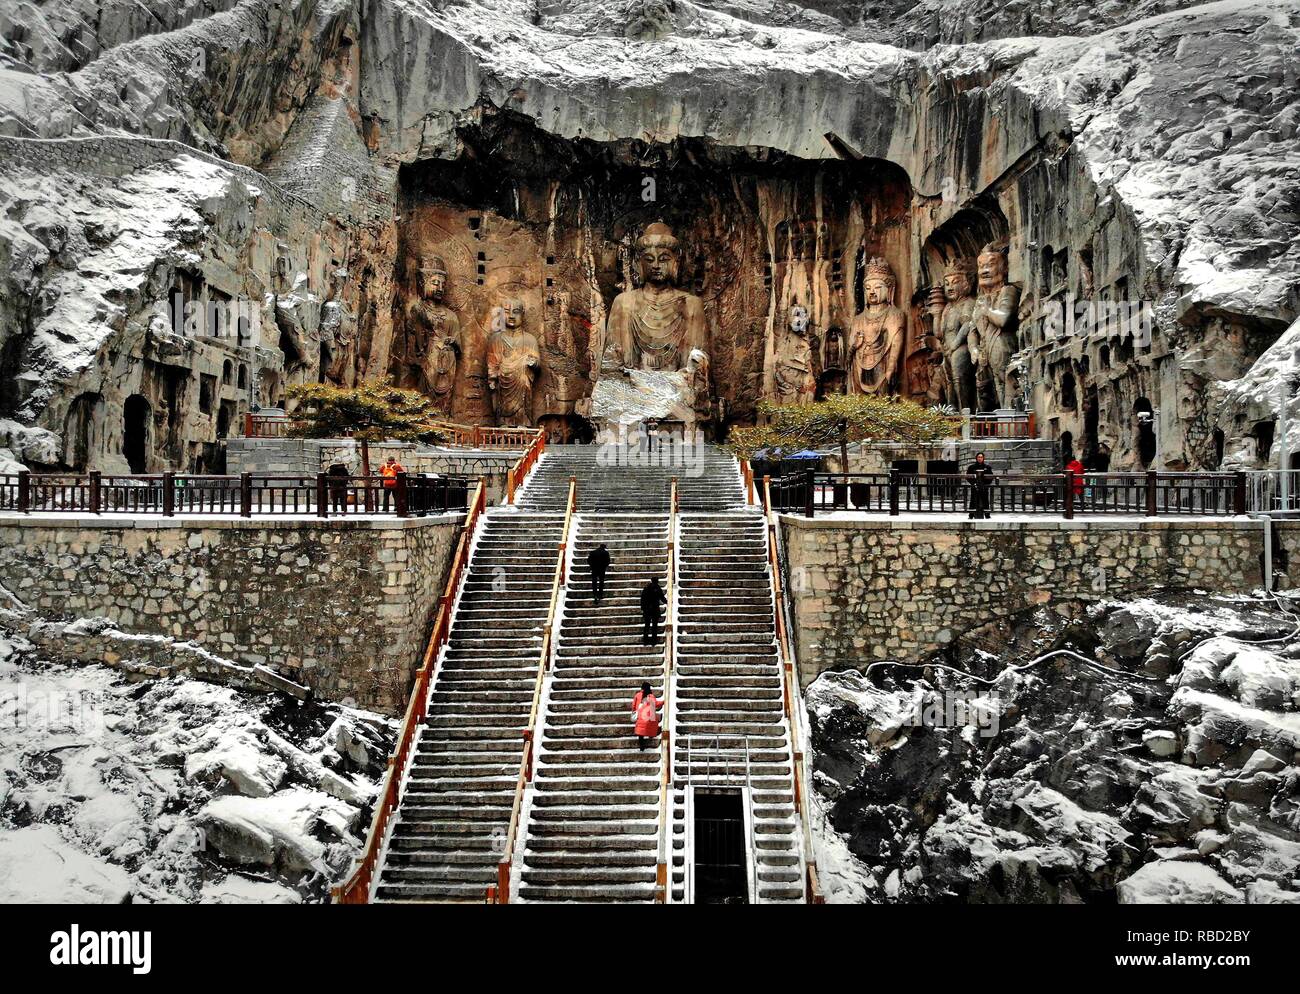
column 592, row 827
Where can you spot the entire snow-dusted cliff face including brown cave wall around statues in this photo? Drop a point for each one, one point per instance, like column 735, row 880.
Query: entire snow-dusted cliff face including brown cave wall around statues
column 785, row 144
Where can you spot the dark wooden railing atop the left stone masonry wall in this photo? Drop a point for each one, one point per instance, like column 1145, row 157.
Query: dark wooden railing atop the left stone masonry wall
column 246, row 496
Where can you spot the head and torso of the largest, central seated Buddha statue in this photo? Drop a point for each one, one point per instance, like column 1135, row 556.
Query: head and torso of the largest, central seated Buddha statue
column 657, row 325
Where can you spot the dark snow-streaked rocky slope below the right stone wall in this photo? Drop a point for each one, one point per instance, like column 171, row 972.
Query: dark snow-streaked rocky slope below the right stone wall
column 1151, row 779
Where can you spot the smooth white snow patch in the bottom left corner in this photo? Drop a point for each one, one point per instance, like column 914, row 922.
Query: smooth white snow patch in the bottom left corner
column 38, row 866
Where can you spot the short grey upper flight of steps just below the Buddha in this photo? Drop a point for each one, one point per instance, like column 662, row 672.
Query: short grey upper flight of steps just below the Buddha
column 619, row 480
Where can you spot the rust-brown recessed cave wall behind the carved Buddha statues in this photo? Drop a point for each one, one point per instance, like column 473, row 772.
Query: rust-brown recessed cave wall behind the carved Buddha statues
column 553, row 223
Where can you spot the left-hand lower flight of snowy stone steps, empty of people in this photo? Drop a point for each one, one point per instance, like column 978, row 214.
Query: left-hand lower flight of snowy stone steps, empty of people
column 456, row 806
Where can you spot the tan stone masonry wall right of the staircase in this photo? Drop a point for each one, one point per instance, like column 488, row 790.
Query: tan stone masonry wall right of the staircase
column 873, row 589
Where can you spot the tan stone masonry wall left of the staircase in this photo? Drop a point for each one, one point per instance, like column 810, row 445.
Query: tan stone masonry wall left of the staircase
column 340, row 606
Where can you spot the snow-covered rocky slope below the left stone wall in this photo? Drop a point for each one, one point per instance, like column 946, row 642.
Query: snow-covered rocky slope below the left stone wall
column 168, row 787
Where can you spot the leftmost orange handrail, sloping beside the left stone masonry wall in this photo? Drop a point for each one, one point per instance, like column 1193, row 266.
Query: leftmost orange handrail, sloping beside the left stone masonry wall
column 357, row 888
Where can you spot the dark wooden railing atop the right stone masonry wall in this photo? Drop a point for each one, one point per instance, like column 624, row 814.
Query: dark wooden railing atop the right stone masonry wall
column 1065, row 494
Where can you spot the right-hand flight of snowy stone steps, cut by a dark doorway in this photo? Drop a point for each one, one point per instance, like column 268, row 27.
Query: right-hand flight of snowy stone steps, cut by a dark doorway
column 729, row 705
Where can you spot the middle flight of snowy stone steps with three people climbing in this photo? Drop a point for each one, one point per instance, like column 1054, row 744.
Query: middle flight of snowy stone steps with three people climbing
column 593, row 821
